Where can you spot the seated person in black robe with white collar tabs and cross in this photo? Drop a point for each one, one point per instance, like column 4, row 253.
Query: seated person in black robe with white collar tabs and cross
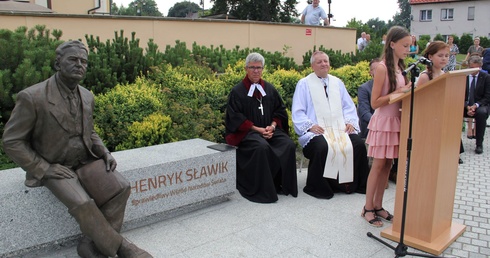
column 257, row 122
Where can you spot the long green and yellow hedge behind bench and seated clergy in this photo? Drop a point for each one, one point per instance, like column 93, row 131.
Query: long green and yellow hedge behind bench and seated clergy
column 146, row 97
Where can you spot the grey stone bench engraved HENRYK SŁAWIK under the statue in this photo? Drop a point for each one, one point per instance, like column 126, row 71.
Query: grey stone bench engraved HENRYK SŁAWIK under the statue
column 166, row 180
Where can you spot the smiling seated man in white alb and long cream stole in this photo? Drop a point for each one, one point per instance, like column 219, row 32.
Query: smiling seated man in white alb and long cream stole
column 325, row 118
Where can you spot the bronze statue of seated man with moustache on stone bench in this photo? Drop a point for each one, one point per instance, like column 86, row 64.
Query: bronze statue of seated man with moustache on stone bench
column 50, row 134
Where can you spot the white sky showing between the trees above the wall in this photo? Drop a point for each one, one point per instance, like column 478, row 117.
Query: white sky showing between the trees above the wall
column 342, row 10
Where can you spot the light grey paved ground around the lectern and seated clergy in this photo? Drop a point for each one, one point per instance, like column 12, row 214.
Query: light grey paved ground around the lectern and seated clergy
column 309, row 227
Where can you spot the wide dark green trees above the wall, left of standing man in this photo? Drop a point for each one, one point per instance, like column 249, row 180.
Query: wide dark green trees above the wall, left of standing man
column 257, row 10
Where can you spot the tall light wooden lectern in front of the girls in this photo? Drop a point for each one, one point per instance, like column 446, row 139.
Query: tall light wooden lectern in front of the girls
column 436, row 136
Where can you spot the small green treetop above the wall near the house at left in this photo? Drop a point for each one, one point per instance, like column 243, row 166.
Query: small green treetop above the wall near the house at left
column 137, row 8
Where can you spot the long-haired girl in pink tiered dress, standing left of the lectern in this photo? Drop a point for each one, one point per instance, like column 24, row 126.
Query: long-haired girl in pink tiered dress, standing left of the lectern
column 384, row 128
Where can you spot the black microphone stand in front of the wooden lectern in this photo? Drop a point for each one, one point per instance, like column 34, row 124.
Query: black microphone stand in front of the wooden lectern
column 401, row 248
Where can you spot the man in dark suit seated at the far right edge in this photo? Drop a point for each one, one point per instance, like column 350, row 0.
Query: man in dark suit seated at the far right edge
column 477, row 99
